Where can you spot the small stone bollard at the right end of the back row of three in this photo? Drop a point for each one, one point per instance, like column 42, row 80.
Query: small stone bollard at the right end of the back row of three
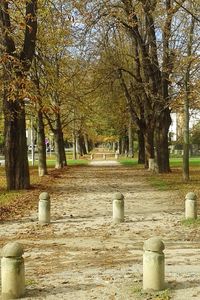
column 191, row 206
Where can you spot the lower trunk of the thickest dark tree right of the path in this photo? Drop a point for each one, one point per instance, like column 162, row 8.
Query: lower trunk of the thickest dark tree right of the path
column 162, row 151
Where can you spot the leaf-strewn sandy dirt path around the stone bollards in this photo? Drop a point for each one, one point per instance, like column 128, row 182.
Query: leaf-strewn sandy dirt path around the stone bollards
column 82, row 255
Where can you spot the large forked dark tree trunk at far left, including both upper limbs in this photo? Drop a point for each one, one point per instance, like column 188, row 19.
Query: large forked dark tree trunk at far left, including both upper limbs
column 15, row 67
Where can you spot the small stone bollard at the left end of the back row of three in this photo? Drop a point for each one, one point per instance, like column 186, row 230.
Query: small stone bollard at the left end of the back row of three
column 44, row 208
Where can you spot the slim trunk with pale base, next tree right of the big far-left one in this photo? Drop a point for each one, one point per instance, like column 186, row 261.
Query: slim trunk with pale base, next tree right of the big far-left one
column 42, row 165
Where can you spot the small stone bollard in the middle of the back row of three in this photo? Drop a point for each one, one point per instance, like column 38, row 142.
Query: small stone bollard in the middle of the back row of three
column 118, row 208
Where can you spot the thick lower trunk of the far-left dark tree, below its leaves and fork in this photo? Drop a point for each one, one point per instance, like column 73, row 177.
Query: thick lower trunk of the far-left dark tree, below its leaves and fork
column 16, row 156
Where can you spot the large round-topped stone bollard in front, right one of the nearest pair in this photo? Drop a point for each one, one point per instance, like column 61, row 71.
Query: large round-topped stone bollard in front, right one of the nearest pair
column 153, row 265
